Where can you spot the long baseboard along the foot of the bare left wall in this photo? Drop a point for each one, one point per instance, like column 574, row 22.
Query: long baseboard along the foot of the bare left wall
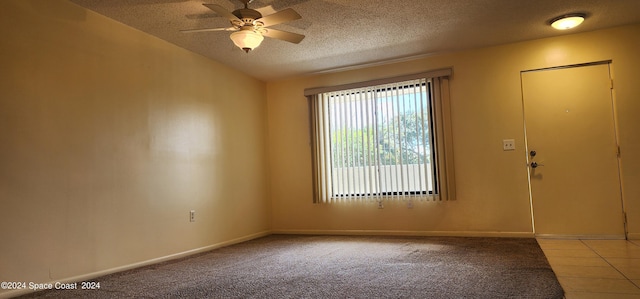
column 89, row 276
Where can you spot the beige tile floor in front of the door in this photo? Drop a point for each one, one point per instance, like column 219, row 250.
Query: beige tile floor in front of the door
column 595, row 268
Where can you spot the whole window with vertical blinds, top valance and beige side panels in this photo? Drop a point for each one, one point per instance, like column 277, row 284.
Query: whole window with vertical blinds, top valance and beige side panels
column 382, row 140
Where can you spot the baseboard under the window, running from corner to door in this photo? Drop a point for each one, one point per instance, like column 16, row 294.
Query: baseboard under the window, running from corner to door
column 407, row 233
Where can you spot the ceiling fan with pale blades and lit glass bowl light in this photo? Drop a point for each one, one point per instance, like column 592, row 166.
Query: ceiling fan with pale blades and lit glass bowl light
column 250, row 26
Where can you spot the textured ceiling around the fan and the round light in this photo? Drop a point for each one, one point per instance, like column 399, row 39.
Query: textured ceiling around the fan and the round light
column 348, row 33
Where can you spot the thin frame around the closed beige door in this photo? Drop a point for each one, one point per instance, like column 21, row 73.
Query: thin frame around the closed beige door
column 617, row 139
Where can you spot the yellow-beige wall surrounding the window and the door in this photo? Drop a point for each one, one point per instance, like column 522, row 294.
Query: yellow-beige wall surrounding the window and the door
column 486, row 104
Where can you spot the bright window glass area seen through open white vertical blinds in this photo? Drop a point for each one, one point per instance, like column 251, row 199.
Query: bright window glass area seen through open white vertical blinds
column 380, row 140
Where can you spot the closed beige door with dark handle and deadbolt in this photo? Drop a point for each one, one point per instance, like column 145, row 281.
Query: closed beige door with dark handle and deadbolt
column 572, row 152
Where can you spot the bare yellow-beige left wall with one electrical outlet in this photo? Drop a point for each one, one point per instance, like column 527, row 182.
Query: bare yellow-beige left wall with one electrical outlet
column 109, row 137
